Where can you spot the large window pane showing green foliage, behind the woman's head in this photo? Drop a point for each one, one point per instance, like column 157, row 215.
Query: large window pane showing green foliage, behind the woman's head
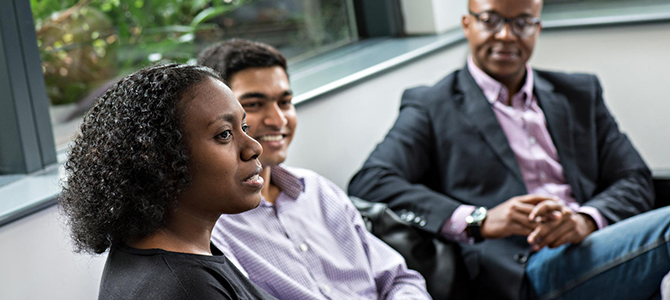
column 86, row 45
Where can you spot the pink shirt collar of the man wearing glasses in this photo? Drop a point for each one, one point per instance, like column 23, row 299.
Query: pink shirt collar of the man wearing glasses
column 492, row 88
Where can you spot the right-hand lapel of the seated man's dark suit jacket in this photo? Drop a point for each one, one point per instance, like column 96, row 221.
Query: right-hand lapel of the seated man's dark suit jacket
column 561, row 128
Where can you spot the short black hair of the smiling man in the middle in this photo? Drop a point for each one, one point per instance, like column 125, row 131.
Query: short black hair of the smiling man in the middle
column 234, row 55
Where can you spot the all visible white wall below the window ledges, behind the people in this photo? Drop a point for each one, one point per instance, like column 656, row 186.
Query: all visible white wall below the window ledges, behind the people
column 338, row 131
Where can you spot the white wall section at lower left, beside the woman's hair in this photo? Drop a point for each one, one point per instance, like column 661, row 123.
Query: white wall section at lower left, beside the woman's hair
column 37, row 262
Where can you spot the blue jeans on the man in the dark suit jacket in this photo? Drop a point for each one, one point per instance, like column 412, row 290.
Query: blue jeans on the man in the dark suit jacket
column 626, row 260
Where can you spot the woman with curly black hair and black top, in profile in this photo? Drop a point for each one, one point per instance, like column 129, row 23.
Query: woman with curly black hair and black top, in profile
column 161, row 155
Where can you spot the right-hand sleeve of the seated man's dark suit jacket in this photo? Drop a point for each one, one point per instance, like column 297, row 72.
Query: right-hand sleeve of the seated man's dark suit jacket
column 624, row 186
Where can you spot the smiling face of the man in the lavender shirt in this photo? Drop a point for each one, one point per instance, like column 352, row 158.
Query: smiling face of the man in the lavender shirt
column 265, row 94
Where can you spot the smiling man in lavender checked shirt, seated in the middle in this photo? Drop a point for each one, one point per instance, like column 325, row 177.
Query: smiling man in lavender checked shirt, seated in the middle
column 305, row 240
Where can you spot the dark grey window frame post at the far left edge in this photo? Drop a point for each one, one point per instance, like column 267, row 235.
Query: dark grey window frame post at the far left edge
column 24, row 112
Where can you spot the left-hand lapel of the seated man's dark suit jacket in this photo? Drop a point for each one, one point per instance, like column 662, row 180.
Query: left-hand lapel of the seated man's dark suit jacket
column 478, row 110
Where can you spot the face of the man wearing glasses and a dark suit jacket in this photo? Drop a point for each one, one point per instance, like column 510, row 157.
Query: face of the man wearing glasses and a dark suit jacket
column 502, row 55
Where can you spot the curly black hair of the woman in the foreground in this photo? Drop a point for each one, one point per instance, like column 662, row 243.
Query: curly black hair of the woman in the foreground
column 130, row 161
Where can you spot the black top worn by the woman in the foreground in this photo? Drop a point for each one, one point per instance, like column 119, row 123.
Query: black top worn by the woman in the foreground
column 158, row 274
